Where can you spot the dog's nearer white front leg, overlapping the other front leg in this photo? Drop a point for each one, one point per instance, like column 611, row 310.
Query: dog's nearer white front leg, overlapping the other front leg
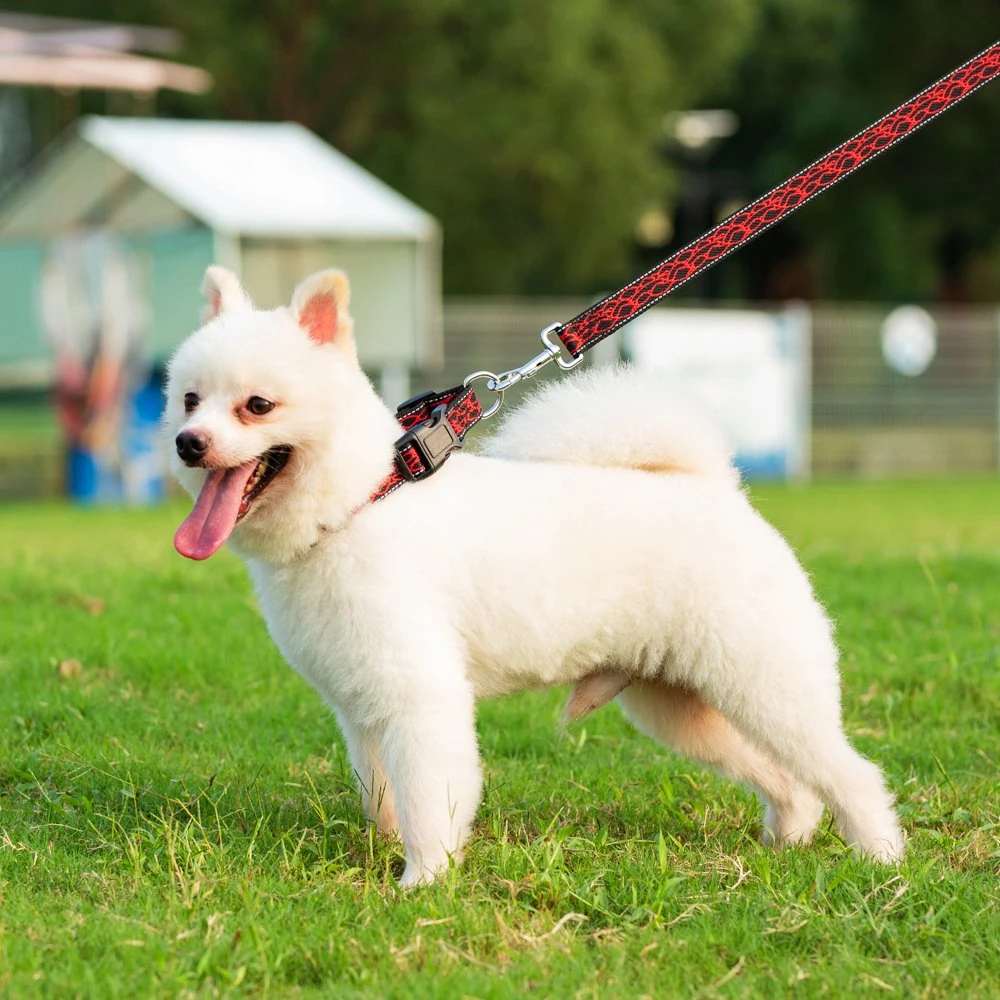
column 432, row 759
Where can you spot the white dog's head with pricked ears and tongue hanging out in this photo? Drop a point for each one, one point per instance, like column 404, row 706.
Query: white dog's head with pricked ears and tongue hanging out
column 273, row 426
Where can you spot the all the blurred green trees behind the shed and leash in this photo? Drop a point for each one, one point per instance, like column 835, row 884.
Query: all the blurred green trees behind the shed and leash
column 538, row 130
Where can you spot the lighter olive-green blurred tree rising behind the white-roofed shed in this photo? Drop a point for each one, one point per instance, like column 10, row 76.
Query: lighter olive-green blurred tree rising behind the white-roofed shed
column 530, row 129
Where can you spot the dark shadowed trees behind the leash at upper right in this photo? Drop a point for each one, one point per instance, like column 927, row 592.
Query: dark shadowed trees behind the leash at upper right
column 816, row 72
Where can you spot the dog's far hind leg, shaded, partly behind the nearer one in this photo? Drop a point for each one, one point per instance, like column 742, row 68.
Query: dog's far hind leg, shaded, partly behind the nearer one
column 681, row 719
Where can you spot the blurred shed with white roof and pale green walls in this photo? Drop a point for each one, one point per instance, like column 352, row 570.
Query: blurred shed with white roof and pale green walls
column 271, row 201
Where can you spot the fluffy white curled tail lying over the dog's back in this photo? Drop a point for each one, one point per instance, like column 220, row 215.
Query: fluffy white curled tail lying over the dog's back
column 615, row 416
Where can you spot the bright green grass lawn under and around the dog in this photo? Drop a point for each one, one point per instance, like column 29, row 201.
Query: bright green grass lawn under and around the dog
column 177, row 816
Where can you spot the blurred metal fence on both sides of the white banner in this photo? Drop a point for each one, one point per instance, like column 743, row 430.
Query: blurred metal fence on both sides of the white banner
column 867, row 418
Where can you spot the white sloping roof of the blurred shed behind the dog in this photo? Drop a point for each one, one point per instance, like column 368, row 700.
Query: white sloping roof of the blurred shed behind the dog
column 239, row 178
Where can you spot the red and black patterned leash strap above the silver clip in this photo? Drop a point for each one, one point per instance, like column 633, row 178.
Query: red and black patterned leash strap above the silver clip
column 606, row 316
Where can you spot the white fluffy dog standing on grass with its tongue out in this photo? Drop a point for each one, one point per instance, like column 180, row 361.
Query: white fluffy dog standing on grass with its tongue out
column 602, row 542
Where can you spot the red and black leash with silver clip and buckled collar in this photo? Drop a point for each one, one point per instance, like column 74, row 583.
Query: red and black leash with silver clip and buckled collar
column 435, row 424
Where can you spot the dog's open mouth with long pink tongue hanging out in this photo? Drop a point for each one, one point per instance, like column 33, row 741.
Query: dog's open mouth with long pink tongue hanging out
column 225, row 498
